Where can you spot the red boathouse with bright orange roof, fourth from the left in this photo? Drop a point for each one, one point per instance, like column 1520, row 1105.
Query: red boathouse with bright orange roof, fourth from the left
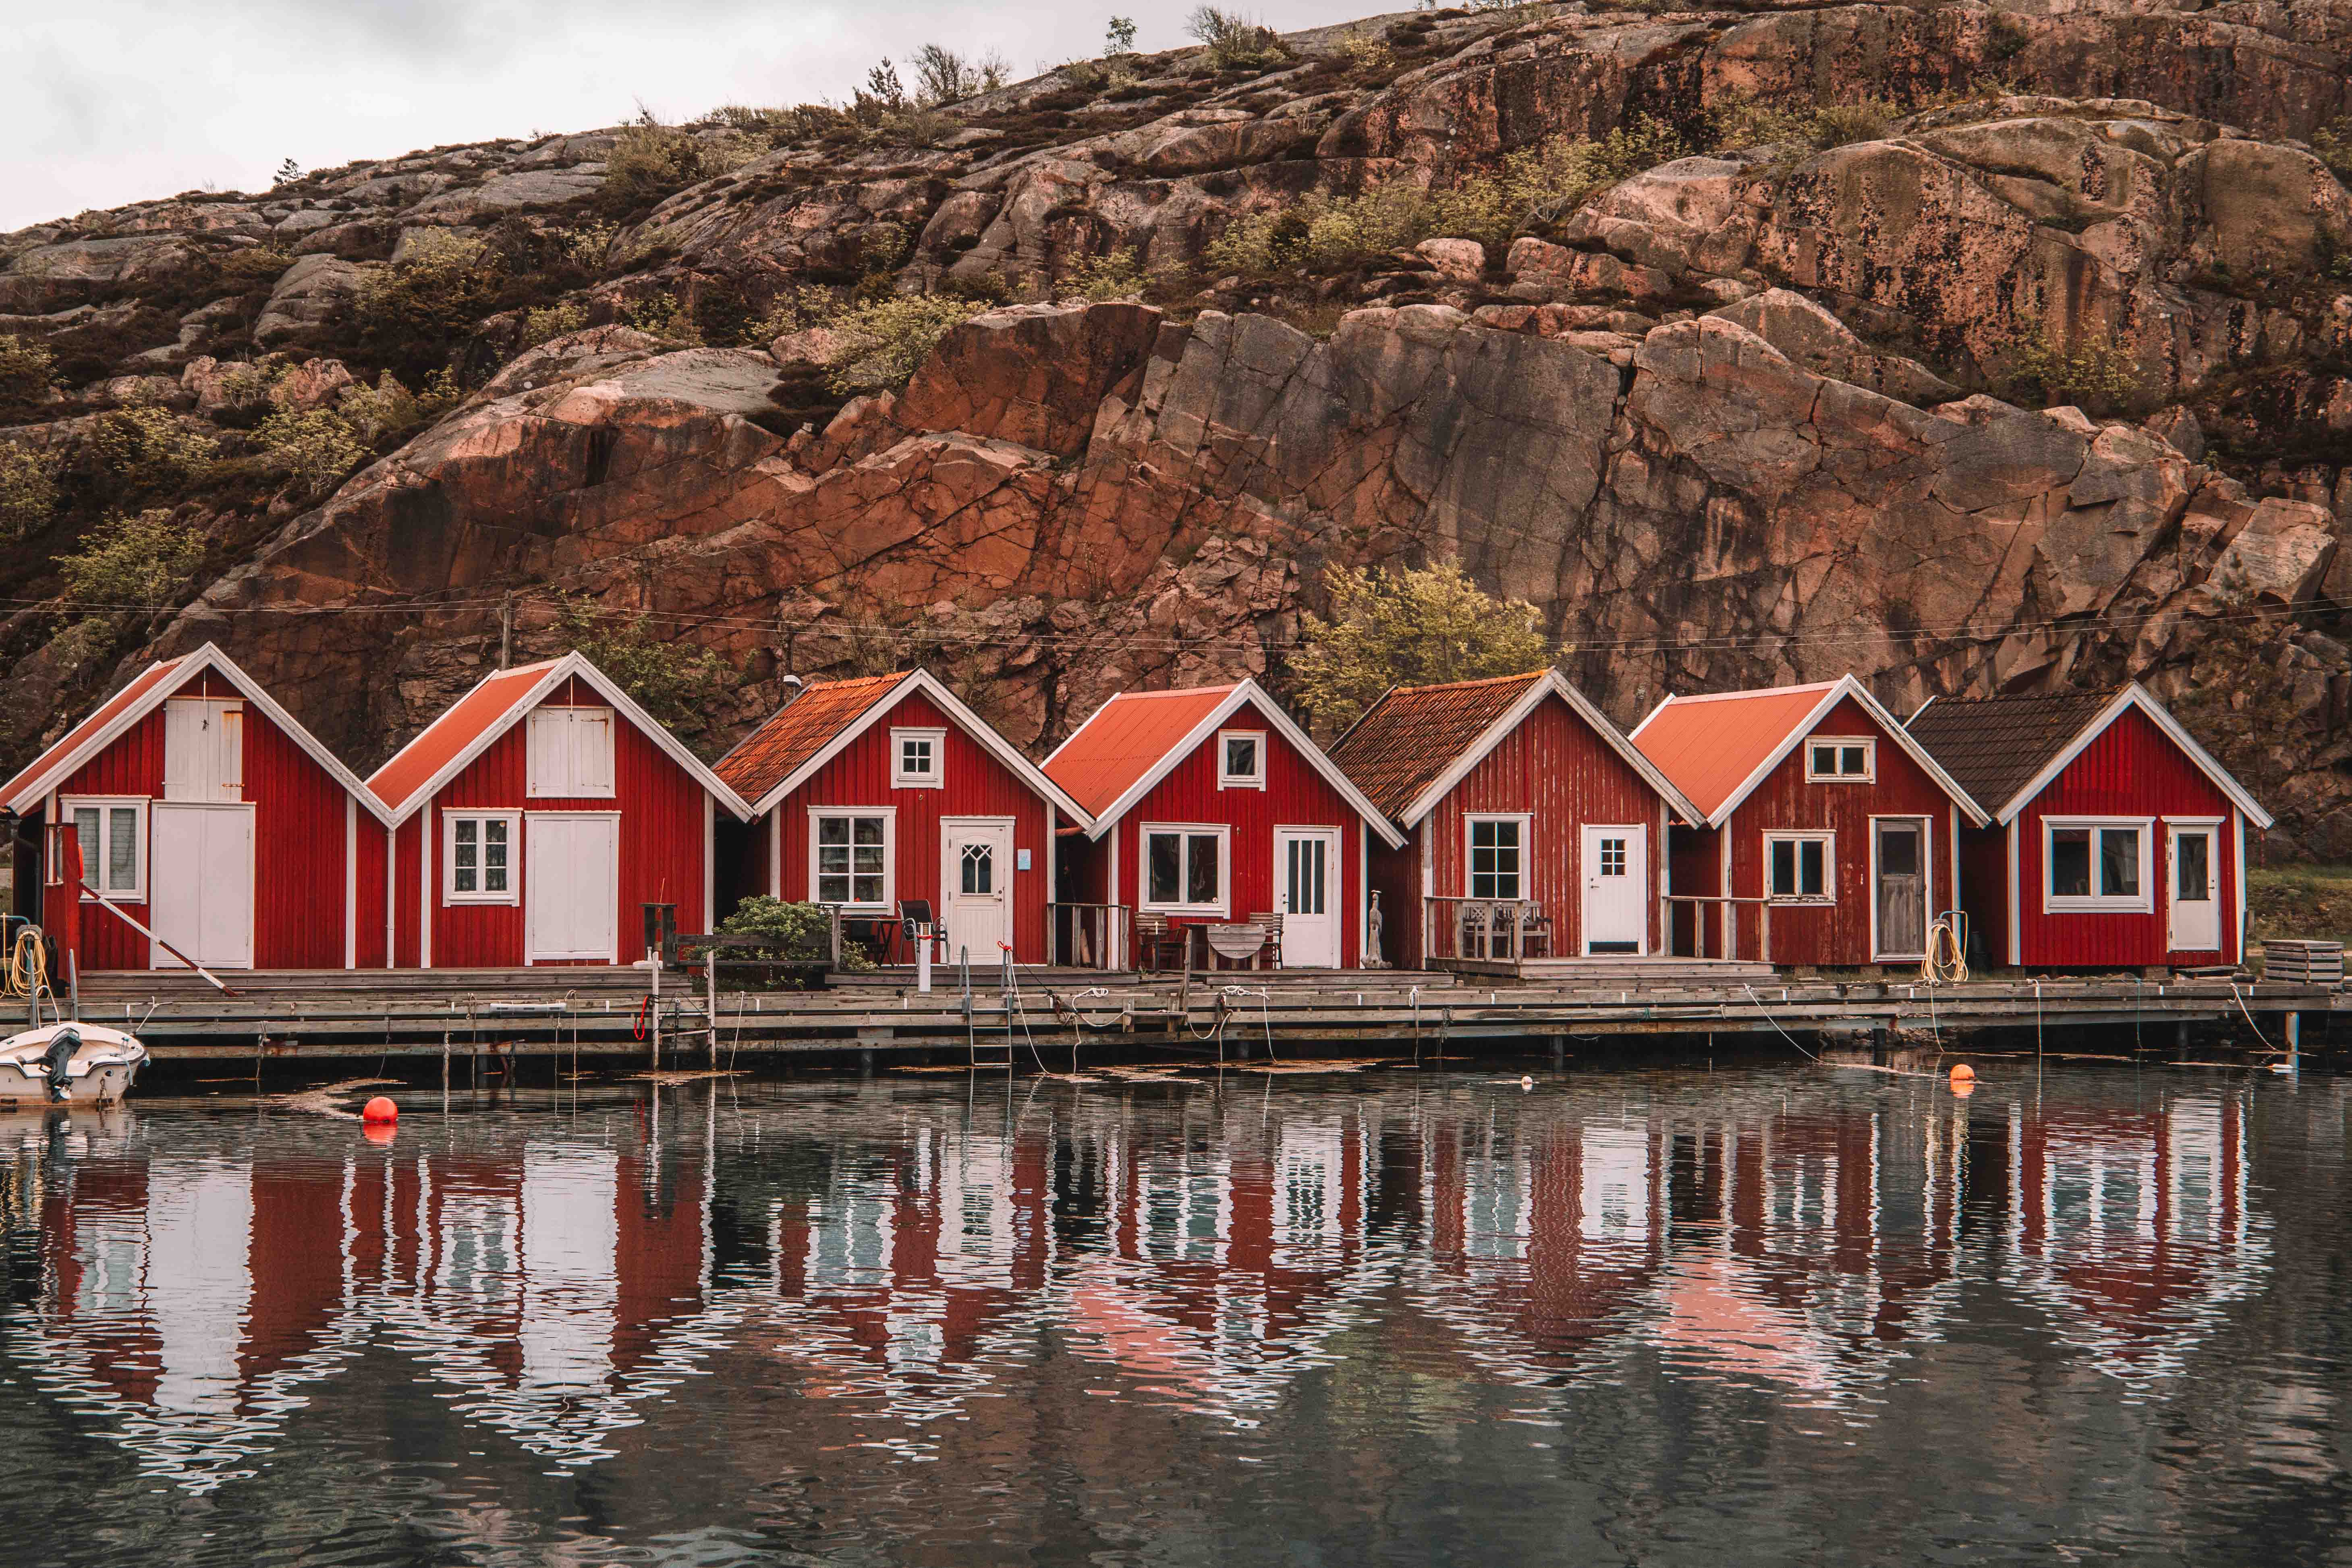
column 1210, row 808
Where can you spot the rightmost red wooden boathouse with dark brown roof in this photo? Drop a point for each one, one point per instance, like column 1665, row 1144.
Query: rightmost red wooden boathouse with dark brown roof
column 2116, row 838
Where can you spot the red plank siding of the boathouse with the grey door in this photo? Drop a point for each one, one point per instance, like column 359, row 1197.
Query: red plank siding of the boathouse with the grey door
column 1840, row 932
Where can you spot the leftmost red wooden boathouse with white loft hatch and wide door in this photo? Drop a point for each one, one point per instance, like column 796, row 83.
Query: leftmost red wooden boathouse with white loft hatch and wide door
column 211, row 817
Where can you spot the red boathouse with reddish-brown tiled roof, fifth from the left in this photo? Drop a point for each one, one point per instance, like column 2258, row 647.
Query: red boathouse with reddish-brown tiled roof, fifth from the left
column 1523, row 810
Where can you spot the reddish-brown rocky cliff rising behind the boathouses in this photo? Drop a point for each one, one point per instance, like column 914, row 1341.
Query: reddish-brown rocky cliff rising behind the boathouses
column 1970, row 347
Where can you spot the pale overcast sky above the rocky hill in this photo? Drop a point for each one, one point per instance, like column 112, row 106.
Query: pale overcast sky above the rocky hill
column 107, row 102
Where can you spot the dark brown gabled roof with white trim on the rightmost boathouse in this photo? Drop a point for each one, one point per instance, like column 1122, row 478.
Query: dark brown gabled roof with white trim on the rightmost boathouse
column 2010, row 749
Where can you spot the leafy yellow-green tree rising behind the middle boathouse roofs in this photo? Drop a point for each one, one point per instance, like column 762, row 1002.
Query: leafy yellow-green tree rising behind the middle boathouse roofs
column 1410, row 629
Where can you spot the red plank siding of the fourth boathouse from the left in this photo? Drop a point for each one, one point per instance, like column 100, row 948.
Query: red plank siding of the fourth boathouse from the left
column 1295, row 796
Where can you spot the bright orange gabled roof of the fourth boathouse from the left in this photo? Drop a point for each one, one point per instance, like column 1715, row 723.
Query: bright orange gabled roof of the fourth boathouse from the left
column 1140, row 737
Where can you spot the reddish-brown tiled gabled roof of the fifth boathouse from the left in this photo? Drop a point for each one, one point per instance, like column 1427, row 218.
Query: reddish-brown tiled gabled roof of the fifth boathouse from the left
column 1422, row 742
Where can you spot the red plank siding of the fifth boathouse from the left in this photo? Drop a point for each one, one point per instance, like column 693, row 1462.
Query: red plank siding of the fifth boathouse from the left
column 1568, row 777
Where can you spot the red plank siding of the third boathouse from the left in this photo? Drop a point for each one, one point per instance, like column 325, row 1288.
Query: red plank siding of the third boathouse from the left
column 973, row 784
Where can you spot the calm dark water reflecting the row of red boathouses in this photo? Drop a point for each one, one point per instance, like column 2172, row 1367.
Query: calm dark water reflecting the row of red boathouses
column 1768, row 1315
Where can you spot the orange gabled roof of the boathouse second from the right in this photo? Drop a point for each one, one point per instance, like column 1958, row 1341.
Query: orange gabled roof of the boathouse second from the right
column 1720, row 746
